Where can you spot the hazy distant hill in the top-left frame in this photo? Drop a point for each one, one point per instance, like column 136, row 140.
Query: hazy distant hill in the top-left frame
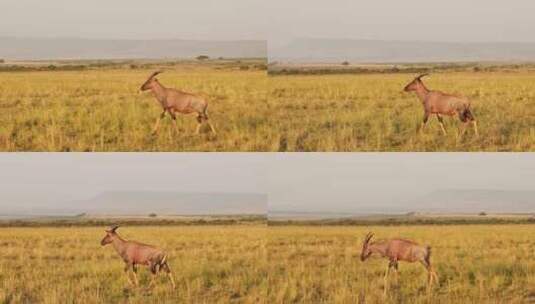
column 74, row 48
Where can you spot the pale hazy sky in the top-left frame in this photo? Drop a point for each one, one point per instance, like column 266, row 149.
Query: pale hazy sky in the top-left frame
column 134, row 19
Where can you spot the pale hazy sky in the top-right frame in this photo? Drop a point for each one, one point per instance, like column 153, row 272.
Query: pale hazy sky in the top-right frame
column 452, row 20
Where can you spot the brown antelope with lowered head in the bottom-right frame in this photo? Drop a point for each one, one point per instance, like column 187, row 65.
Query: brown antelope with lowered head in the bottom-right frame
column 399, row 250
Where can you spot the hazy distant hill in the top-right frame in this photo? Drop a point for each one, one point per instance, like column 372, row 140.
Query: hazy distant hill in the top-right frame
column 377, row 51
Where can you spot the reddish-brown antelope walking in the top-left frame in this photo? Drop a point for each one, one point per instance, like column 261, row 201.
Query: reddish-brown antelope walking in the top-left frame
column 175, row 101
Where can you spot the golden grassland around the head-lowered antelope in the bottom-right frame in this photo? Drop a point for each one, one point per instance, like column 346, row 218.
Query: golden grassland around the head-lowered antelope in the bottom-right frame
column 475, row 264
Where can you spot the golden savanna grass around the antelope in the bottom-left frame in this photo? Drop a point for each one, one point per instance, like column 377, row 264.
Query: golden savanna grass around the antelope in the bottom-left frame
column 211, row 264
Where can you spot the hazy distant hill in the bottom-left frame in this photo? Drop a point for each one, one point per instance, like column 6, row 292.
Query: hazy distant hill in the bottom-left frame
column 146, row 202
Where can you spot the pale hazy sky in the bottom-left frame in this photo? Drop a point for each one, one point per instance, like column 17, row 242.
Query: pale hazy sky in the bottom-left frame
column 49, row 178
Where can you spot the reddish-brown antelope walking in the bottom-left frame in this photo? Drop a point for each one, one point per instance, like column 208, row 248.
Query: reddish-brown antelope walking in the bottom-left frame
column 134, row 253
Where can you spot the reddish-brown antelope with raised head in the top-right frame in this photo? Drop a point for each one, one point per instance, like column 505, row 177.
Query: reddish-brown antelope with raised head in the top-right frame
column 438, row 103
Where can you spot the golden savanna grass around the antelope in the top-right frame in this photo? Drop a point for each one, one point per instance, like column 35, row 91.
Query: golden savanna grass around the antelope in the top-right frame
column 370, row 111
